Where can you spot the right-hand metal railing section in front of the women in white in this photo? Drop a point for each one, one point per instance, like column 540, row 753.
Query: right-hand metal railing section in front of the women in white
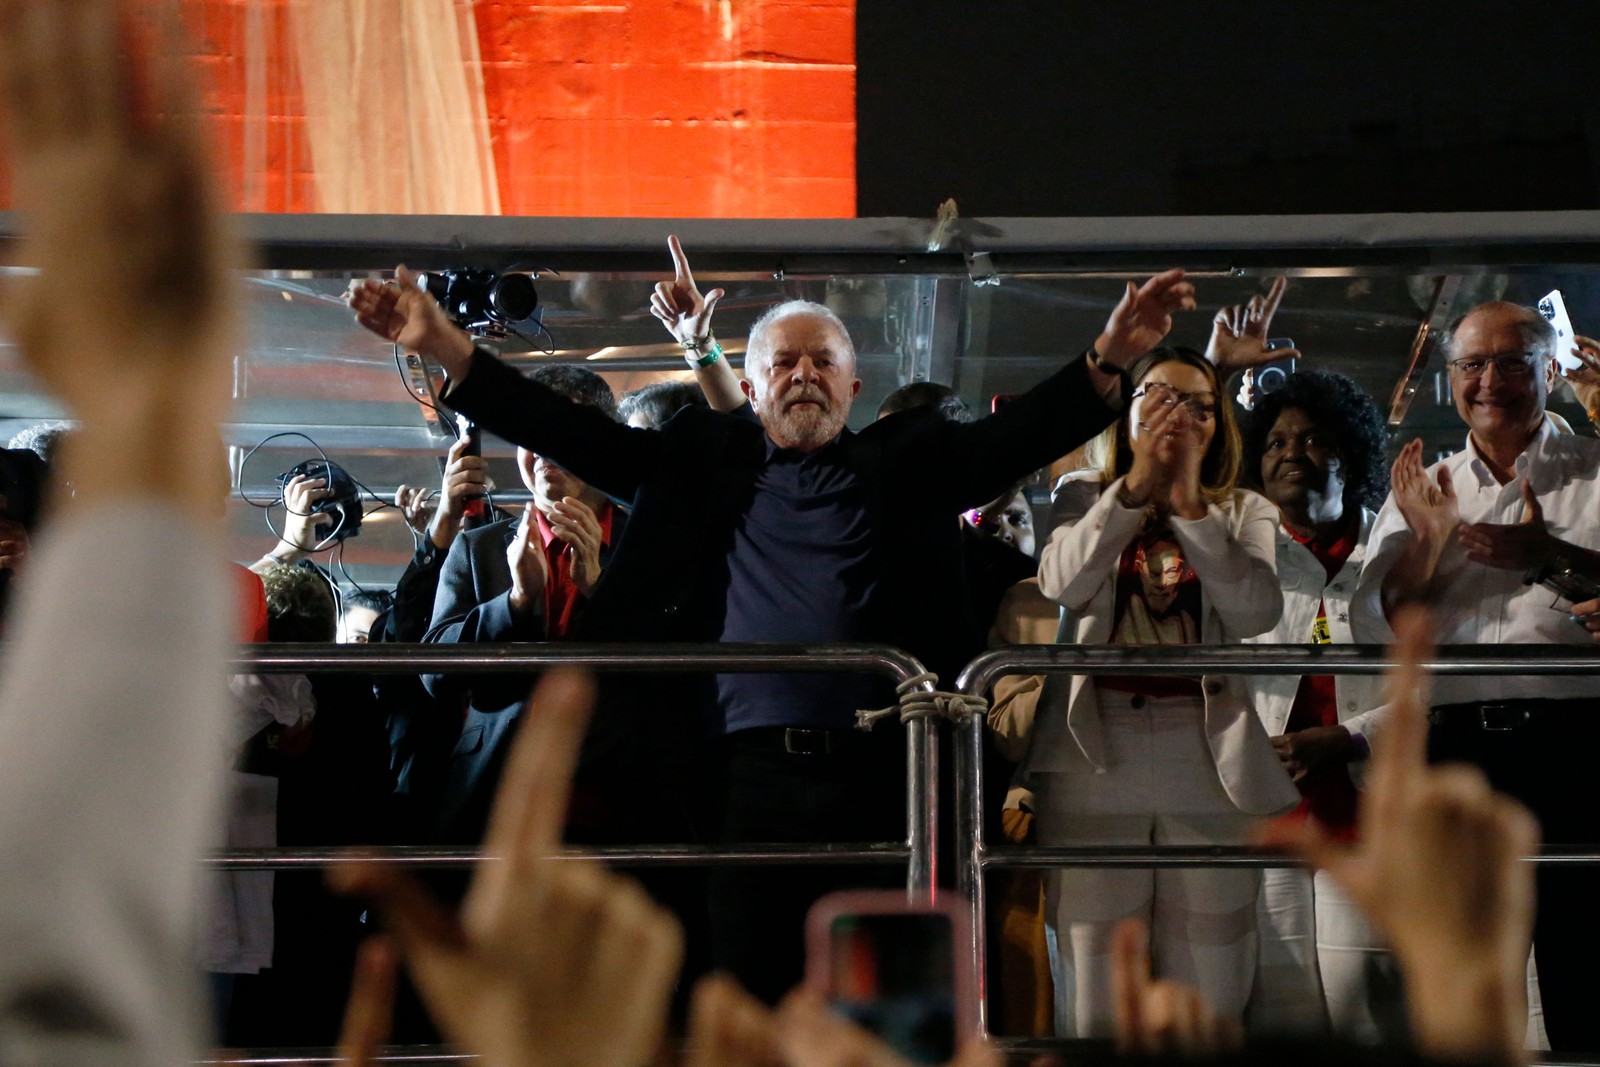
column 980, row 676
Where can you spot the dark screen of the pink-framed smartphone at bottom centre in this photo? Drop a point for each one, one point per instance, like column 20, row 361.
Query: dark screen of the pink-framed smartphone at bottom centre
column 895, row 975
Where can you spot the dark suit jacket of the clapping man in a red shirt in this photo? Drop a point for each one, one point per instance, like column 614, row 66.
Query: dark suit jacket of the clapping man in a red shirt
column 473, row 605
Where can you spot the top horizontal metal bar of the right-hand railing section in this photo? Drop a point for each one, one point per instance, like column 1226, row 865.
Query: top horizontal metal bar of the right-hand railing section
column 1270, row 660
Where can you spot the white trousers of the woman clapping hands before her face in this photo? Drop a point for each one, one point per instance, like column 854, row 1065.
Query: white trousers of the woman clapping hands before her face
column 1159, row 788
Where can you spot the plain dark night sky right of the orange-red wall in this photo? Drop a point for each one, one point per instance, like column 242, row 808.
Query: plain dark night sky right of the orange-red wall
column 1226, row 106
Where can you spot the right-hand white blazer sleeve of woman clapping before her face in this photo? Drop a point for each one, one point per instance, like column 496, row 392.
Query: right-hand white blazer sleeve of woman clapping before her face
column 1242, row 572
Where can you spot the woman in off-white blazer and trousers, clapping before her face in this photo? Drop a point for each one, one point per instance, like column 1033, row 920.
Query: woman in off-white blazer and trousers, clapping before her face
column 1158, row 546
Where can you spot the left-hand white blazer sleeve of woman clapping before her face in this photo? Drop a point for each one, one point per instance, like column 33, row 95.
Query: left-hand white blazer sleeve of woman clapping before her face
column 1089, row 530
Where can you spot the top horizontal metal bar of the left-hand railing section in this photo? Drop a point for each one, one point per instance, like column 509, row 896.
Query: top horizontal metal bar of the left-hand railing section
column 314, row 658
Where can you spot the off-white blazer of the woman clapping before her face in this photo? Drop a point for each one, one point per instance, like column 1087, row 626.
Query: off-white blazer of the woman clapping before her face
column 1231, row 549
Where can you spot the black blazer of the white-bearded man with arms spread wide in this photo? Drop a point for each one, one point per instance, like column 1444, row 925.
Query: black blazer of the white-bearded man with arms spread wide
column 690, row 482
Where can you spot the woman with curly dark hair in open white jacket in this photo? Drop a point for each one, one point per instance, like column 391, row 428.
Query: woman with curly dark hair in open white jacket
column 1318, row 449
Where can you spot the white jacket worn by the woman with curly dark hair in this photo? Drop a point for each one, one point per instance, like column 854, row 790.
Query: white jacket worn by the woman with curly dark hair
column 1305, row 586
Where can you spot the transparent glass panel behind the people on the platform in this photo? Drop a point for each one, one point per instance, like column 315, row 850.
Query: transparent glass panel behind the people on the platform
column 310, row 369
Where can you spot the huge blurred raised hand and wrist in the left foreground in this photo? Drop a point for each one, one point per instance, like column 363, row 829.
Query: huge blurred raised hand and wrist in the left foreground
column 118, row 193
